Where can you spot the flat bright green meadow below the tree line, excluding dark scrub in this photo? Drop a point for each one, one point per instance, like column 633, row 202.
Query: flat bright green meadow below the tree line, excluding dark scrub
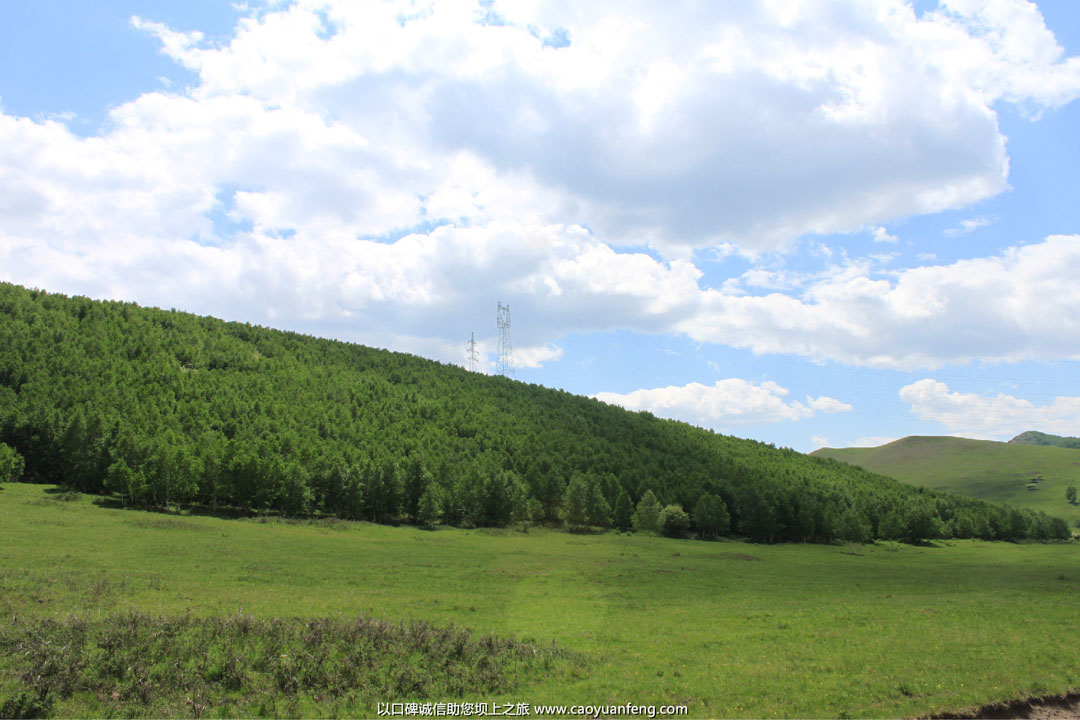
column 732, row 630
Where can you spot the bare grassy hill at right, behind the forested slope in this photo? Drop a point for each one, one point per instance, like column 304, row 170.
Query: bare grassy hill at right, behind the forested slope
column 980, row 469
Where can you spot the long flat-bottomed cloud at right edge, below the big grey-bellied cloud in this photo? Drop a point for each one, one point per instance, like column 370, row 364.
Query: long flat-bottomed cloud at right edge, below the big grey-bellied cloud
column 1020, row 305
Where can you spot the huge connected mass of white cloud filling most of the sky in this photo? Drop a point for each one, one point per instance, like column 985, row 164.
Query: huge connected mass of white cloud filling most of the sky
column 386, row 172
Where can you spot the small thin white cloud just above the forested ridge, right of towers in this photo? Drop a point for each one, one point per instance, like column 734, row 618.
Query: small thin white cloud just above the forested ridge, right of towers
column 725, row 404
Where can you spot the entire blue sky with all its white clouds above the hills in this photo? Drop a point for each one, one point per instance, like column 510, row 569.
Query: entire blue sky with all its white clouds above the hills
column 812, row 223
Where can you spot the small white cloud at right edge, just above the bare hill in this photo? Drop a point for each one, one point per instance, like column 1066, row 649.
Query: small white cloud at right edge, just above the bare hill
column 997, row 418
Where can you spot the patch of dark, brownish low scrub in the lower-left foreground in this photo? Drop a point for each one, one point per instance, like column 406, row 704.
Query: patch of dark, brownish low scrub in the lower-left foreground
column 139, row 665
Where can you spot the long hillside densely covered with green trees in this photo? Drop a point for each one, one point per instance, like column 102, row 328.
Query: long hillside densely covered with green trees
column 163, row 409
